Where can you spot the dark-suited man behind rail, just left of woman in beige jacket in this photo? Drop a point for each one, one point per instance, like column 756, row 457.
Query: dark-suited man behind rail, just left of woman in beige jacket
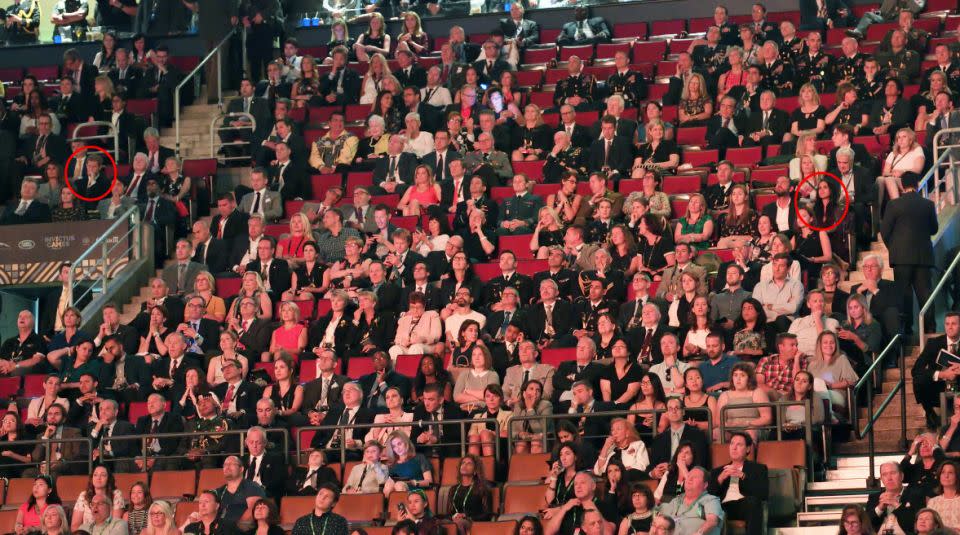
column 433, row 435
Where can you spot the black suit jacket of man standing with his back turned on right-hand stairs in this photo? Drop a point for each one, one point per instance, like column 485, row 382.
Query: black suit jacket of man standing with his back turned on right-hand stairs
column 907, row 225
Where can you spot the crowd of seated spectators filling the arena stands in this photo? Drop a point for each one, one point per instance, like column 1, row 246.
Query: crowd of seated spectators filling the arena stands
column 684, row 318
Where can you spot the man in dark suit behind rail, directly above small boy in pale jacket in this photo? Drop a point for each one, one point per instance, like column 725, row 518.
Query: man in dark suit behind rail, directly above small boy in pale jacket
column 350, row 412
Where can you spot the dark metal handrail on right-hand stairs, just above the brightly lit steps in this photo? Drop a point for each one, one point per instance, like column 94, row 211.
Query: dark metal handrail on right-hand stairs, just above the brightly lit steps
column 867, row 381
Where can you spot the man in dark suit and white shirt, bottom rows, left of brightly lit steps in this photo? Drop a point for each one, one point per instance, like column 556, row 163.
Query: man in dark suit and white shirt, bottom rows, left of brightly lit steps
column 742, row 485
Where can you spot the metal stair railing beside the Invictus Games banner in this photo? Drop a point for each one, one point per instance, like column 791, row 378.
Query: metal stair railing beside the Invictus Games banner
column 96, row 261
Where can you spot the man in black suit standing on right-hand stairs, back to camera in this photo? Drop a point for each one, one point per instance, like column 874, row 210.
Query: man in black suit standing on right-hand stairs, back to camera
column 907, row 226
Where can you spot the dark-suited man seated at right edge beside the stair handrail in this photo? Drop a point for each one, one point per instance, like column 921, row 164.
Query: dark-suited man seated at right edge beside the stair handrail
column 929, row 378
